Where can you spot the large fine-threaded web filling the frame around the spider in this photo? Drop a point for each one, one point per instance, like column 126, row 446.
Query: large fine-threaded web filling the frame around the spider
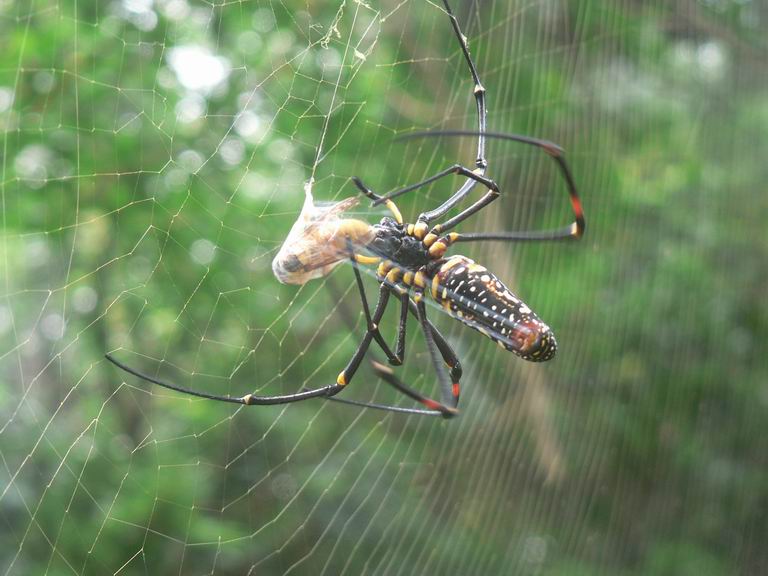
column 154, row 156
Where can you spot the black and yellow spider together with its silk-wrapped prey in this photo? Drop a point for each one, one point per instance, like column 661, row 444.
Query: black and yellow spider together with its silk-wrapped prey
column 411, row 262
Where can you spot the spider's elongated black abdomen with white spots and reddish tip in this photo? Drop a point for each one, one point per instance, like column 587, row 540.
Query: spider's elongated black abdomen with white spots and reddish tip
column 473, row 295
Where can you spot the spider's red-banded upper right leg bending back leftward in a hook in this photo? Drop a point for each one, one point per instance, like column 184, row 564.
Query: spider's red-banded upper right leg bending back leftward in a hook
column 572, row 231
